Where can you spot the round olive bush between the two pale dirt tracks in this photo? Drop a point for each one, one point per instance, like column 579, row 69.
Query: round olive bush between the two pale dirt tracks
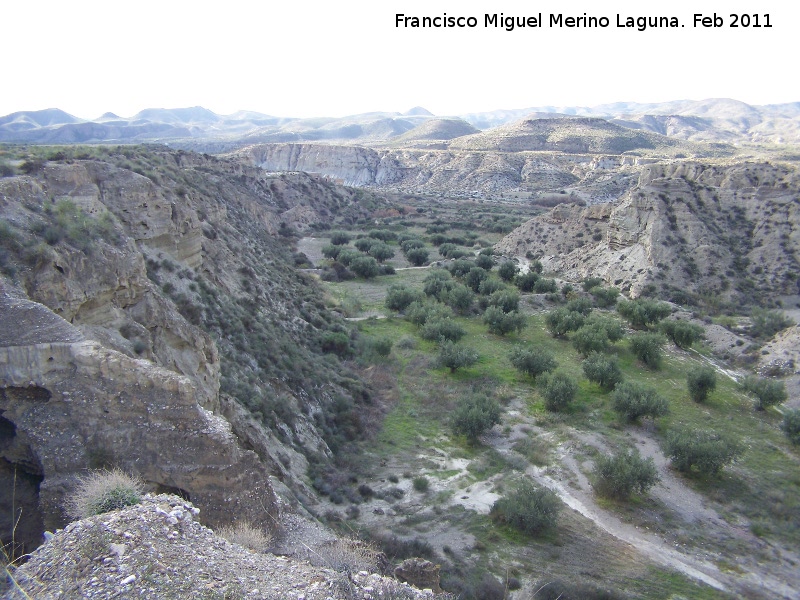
column 624, row 473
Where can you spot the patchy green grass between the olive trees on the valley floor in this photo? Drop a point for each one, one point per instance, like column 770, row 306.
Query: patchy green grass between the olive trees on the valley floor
column 763, row 487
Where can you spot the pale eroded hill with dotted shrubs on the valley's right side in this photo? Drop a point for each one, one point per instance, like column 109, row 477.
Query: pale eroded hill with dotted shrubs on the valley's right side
column 687, row 231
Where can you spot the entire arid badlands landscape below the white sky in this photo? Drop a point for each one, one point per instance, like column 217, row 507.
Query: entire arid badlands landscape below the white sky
column 316, row 328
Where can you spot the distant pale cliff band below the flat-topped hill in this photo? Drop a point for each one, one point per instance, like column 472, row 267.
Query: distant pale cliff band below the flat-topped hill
column 594, row 178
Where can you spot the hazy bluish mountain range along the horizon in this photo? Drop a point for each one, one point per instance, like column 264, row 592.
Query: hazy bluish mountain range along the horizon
column 713, row 120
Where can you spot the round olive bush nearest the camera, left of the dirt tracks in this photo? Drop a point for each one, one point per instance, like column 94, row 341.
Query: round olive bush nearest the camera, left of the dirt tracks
column 529, row 508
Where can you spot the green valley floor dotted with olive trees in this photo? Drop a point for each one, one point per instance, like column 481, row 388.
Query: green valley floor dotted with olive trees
column 503, row 367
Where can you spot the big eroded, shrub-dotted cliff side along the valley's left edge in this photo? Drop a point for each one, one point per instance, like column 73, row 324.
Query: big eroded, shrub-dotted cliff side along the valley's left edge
column 180, row 342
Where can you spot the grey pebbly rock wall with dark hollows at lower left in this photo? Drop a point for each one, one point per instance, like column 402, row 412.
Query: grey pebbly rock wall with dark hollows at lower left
column 69, row 404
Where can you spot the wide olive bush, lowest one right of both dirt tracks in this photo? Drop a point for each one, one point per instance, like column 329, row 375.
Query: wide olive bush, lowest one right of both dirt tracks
column 706, row 451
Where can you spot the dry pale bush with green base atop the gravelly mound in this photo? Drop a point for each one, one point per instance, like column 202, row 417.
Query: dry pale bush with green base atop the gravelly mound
column 104, row 491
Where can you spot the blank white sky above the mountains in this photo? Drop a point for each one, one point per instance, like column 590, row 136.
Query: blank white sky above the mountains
column 308, row 58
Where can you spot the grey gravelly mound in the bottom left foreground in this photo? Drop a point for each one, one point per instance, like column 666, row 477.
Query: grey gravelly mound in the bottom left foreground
column 158, row 550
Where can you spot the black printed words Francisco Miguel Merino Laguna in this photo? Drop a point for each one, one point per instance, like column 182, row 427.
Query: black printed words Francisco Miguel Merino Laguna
column 499, row 20
